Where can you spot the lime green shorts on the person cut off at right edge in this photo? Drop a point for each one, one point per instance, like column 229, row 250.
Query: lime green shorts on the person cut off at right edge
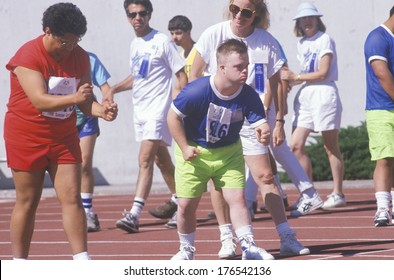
column 380, row 126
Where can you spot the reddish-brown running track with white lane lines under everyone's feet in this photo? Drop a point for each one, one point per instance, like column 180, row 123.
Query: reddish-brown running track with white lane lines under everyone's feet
column 344, row 234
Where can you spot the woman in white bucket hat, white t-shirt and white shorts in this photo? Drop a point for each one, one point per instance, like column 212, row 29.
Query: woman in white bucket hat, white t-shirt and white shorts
column 317, row 105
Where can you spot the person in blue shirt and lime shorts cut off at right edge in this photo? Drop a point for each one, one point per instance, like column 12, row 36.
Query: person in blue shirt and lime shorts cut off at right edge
column 379, row 63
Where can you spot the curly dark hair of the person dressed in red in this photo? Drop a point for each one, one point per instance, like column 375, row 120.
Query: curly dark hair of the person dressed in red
column 64, row 18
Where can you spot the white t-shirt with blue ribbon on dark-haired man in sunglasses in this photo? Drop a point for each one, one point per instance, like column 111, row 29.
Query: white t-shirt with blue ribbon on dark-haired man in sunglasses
column 159, row 59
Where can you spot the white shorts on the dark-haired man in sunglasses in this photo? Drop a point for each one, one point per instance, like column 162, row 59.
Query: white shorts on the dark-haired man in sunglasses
column 152, row 130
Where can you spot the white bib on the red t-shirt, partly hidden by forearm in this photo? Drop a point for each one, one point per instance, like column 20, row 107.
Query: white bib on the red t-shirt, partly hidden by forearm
column 61, row 86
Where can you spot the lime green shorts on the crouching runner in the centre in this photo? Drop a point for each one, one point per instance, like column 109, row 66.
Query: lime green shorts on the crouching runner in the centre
column 225, row 166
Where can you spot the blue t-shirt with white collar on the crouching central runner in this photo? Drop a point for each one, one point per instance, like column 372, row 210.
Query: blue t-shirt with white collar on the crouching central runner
column 213, row 120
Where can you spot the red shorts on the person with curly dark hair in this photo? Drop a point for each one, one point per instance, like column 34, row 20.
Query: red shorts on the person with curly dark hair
column 34, row 158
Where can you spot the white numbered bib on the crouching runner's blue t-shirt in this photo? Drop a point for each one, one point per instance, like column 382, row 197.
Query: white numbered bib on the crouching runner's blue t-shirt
column 218, row 122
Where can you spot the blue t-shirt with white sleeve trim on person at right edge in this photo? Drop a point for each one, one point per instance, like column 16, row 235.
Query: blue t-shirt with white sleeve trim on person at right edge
column 378, row 45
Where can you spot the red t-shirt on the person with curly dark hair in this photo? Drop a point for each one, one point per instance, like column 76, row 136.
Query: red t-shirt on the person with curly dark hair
column 24, row 124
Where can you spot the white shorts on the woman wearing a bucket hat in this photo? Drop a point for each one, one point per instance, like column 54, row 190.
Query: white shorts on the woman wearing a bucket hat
column 318, row 107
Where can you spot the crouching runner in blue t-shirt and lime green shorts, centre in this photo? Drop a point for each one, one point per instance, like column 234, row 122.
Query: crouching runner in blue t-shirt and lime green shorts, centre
column 205, row 120
